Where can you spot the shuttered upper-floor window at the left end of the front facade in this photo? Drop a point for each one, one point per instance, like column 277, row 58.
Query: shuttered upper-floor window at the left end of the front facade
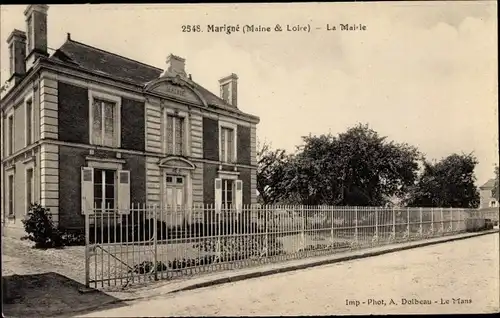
column 105, row 119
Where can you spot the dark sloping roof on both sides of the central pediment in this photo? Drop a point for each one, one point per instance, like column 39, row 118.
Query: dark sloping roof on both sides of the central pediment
column 100, row 61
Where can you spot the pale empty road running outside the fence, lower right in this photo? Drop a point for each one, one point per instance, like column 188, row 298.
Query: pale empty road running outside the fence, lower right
column 455, row 277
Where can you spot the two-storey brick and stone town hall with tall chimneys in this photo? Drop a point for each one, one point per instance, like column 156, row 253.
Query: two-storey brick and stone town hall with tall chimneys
column 83, row 127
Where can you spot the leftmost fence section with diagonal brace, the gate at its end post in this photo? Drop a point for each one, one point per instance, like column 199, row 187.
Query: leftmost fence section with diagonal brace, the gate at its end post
column 120, row 247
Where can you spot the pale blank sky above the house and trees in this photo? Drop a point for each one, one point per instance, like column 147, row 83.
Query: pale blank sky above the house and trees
column 424, row 73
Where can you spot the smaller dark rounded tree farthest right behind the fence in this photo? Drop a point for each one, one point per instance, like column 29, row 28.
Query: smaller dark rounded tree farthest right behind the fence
column 447, row 183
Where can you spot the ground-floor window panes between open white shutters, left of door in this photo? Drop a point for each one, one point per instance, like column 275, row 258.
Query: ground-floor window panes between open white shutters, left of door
column 104, row 188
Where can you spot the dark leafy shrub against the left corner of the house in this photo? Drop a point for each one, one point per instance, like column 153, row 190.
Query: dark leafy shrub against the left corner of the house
column 40, row 228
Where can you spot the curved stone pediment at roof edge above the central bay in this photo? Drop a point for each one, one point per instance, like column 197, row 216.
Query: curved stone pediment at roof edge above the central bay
column 176, row 87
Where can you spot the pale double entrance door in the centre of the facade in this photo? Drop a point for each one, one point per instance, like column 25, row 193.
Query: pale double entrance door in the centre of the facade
column 174, row 199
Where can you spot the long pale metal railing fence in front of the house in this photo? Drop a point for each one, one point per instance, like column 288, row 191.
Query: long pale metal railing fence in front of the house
column 150, row 243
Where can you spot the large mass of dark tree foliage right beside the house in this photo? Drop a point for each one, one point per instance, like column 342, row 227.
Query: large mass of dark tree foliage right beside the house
column 357, row 167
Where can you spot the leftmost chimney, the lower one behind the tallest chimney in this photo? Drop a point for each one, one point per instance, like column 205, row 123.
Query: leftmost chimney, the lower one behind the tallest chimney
column 17, row 53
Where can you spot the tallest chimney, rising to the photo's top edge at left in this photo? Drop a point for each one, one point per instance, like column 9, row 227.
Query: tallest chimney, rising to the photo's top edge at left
column 36, row 28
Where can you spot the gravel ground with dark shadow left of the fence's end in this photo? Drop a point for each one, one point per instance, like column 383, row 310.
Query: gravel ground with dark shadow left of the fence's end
column 44, row 283
